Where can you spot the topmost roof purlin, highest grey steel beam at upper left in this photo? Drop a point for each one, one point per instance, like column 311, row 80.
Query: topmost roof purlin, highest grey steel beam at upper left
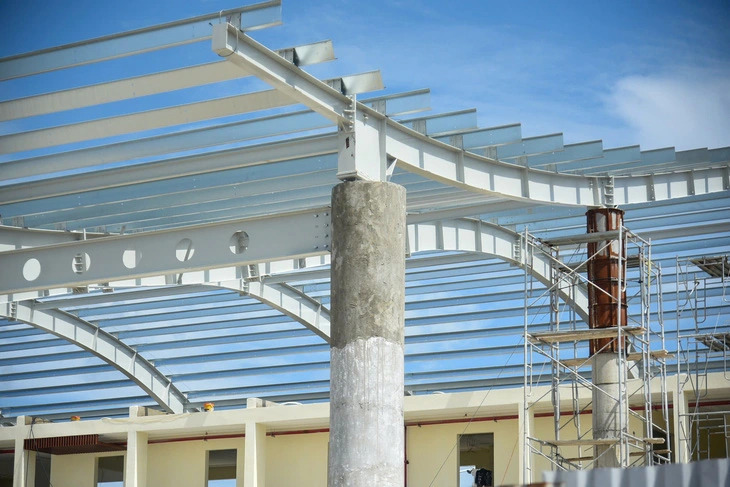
column 147, row 39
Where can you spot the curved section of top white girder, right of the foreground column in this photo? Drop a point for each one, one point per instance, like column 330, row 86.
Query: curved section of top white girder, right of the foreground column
column 441, row 162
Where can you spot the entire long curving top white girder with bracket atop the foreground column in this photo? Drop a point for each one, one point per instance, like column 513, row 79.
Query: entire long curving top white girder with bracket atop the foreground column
column 370, row 142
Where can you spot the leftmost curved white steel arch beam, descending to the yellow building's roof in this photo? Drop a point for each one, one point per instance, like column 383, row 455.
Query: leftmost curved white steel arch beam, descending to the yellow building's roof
column 103, row 345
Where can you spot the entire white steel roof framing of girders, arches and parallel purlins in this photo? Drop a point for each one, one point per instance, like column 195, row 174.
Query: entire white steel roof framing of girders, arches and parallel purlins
column 192, row 237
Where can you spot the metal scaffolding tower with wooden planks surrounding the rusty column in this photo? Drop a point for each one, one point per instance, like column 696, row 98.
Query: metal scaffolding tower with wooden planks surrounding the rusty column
column 557, row 361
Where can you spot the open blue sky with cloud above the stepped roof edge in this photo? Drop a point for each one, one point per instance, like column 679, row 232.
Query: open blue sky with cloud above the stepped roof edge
column 649, row 73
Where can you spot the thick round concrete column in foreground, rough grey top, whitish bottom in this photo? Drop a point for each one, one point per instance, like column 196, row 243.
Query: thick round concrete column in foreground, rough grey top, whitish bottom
column 366, row 355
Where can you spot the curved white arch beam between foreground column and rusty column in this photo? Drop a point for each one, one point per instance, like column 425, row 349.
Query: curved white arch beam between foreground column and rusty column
column 477, row 236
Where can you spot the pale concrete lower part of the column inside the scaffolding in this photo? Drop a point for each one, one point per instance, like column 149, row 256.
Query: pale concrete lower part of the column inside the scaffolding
column 607, row 410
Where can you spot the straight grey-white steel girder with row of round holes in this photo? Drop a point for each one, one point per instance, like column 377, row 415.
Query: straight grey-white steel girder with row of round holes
column 162, row 253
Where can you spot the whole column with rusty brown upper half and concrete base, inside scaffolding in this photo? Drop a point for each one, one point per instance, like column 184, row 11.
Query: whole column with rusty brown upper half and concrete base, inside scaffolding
column 607, row 308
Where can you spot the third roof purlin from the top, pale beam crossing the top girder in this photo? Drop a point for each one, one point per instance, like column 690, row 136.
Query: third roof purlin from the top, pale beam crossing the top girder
column 166, row 117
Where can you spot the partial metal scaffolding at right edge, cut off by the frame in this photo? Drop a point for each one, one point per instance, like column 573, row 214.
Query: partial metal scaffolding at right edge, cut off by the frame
column 703, row 346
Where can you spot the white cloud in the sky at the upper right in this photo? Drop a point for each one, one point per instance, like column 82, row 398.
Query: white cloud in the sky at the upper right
column 687, row 110
